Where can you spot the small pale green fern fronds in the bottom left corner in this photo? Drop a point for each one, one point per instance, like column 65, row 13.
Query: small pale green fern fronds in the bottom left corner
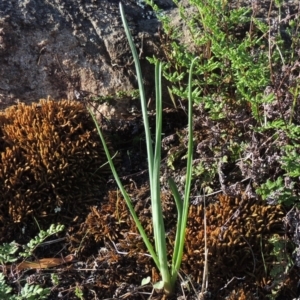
column 9, row 254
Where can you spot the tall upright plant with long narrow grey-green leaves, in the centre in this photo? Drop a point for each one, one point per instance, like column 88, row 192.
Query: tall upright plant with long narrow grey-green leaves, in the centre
column 158, row 251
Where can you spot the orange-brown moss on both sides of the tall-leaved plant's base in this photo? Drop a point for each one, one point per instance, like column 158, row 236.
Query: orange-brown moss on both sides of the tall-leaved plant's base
column 237, row 234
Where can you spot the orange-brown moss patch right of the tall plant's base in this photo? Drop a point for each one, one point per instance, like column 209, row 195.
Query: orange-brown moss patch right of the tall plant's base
column 237, row 233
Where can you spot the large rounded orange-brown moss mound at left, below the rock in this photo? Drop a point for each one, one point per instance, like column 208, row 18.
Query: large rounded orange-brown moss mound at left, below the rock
column 50, row 155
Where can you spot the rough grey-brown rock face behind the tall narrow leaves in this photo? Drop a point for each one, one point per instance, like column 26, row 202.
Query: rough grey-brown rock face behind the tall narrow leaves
column 60, row 48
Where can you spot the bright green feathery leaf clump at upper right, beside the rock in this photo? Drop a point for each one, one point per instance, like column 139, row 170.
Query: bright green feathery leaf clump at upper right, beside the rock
column 226, row 68
